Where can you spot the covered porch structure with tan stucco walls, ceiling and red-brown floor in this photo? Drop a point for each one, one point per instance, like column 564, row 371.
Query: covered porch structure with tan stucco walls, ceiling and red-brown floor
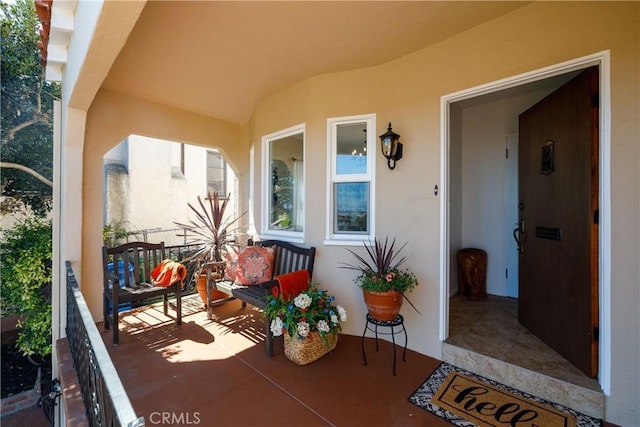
column 230, row 75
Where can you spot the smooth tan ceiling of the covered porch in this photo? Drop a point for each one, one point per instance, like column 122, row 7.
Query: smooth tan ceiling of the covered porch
column 220, row 58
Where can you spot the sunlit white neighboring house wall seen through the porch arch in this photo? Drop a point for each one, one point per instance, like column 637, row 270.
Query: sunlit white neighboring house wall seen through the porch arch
column 146, row 189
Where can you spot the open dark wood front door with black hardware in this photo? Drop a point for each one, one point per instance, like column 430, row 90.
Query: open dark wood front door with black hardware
column 558, row 212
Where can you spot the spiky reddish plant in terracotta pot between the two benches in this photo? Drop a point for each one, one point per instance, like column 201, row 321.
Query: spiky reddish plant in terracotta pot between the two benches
column 213, row 231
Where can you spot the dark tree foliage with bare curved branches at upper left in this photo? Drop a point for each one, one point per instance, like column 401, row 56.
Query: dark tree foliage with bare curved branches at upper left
column 27, row 109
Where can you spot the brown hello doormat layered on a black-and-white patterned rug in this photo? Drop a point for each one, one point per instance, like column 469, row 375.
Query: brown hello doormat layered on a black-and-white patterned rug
column 466, row 400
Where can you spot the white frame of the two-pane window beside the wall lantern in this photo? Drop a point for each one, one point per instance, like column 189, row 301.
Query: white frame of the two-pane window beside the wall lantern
column 333, row 178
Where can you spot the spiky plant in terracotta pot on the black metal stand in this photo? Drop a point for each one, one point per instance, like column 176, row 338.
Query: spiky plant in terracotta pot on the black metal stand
column 384, row 285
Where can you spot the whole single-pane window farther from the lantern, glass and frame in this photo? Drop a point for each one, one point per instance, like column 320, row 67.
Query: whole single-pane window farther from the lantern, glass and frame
column 283, row 183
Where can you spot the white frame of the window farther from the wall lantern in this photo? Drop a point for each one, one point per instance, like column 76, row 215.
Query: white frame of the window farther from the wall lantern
column 266, row 232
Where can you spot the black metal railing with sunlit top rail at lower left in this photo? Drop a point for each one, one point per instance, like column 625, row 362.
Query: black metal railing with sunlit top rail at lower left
column 104, row 396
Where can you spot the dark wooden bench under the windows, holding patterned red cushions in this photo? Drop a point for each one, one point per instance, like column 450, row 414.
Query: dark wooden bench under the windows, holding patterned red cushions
column 287, row 259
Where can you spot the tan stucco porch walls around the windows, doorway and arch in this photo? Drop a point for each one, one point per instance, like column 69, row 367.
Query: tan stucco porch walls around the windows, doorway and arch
column 406, row 91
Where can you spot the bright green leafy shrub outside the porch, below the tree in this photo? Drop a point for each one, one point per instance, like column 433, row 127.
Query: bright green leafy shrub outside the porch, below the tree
column 25, row 268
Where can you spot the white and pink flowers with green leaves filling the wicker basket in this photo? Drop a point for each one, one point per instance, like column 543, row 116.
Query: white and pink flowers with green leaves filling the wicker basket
column 312, row 310
